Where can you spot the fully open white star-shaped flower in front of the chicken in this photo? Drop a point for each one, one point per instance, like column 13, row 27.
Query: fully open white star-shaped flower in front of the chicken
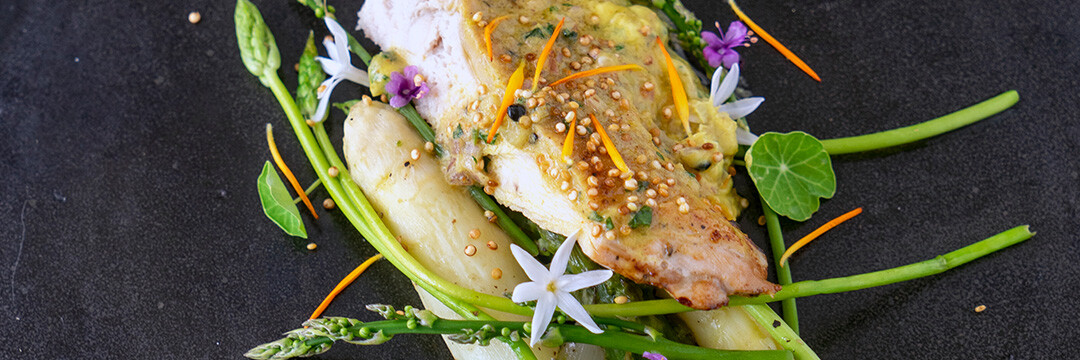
column 552, row 289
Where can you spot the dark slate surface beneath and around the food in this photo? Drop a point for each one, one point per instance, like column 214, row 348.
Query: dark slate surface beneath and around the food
column 131, row 228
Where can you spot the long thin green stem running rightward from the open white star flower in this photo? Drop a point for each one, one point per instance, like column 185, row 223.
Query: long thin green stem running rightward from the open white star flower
column 802, row 289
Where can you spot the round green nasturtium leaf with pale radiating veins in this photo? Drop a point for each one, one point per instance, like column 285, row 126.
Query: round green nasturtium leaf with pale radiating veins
column 792, row 172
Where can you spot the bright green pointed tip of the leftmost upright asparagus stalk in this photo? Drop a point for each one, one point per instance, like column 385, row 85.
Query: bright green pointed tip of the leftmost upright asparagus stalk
column 258, row 47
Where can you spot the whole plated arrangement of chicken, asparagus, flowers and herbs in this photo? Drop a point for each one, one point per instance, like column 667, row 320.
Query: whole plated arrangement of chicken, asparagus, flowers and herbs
column 558, row 182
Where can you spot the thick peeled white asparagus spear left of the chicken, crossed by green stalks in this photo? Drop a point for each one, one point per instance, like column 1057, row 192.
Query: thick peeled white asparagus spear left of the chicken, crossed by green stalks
column 434, row 220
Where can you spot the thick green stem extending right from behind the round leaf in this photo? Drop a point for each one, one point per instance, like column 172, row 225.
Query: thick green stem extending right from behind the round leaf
column 925, row 130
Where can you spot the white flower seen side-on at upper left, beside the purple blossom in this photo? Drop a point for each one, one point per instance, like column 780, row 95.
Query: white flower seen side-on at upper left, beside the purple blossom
column 339, row 66
